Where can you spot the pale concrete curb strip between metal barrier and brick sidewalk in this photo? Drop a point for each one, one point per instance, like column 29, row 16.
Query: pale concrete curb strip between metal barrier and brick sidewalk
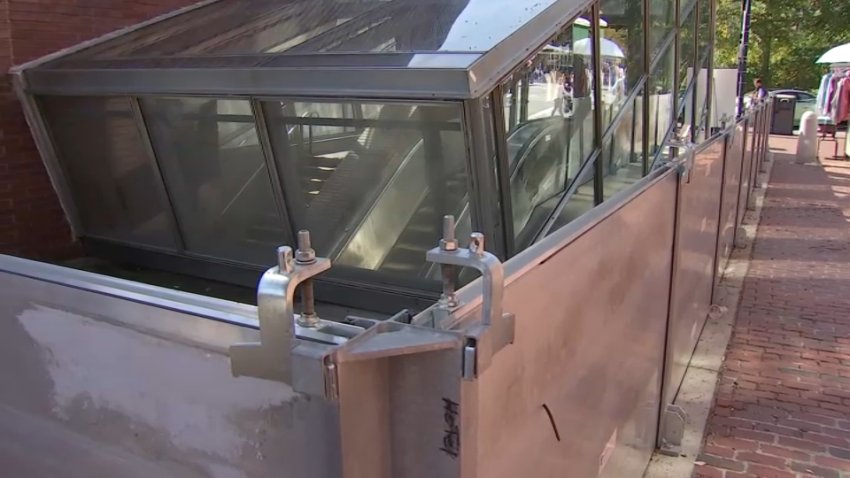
column 696, row 396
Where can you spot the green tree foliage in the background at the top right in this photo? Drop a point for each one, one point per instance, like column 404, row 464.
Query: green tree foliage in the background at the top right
column 786, row 38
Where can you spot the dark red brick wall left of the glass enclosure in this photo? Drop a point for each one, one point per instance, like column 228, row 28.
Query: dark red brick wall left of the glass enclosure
column 32, row 223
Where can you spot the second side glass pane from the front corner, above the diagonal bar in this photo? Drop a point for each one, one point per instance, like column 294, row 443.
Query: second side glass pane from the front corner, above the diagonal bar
column 622, row 53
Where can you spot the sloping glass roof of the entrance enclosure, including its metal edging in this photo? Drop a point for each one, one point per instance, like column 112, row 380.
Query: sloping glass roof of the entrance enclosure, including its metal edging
column 363, row 48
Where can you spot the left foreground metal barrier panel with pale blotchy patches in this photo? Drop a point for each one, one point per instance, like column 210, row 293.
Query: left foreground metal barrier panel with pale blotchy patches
column 99, row 386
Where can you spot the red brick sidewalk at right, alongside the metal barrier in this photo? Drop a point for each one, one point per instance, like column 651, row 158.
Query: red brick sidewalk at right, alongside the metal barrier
column 783, row 402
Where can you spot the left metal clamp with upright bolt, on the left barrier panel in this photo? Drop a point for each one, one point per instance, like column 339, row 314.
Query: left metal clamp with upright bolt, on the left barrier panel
column 271, row 358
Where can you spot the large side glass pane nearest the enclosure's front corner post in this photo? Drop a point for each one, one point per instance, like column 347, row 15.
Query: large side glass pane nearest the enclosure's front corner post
column 549, row 115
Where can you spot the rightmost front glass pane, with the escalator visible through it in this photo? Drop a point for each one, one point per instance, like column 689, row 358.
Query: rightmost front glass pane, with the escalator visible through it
column 372, row 180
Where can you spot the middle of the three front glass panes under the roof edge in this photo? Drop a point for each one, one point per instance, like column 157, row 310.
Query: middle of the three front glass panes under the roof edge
column 216, row 174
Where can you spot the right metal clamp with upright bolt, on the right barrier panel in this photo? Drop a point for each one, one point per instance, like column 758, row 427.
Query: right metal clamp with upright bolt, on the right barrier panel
column 496, row 329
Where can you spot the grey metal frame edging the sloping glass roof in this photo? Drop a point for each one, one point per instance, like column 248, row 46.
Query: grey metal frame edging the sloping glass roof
column 414, row 75
